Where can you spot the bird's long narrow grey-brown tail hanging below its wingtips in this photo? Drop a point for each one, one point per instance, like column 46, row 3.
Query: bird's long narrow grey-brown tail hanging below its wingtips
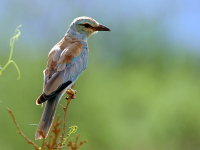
column 47, row 117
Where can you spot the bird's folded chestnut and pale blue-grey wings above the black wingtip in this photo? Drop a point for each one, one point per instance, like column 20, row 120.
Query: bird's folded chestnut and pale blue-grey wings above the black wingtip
column 64, row 66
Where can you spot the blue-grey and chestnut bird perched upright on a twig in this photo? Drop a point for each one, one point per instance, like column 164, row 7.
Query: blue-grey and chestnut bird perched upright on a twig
column 66, row 61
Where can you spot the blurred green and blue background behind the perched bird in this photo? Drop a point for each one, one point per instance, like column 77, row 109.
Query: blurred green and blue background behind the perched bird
column 141, row 90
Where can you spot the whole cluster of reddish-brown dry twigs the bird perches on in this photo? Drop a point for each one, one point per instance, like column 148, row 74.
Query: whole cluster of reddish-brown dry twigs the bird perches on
column 56, row 129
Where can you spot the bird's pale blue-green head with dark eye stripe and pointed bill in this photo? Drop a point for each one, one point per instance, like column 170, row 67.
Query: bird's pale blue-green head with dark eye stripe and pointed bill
column 85, row 26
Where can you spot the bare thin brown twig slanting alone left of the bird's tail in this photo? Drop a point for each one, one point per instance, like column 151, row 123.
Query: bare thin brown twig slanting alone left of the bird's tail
column 19, row 130
